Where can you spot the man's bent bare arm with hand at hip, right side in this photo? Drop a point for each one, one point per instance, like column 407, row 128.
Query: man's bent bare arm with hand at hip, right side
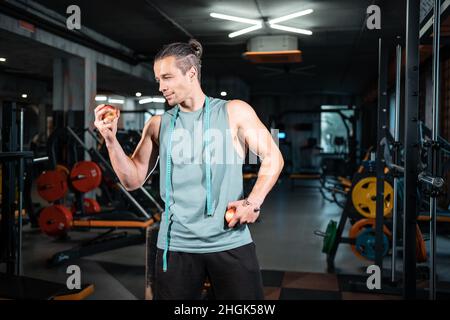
column 258, row 139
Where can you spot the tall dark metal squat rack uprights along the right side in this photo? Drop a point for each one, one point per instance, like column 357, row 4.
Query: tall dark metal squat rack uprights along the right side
column 411, row 171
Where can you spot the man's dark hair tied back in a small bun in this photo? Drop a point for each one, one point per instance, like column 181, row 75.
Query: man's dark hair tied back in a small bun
column 187, row 55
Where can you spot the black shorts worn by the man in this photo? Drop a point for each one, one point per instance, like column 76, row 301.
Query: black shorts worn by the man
column 234, row 275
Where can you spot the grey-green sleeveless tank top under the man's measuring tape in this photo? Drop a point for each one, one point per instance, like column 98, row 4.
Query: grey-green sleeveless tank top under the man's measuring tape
column 190, row 228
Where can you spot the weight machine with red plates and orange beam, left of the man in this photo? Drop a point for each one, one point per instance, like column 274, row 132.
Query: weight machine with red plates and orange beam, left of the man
column 110, row 220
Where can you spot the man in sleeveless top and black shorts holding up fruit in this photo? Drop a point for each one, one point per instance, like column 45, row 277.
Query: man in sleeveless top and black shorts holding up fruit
column 194, row 241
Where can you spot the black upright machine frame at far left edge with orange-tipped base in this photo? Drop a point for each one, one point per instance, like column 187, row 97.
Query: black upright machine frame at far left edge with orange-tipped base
column 13, row 285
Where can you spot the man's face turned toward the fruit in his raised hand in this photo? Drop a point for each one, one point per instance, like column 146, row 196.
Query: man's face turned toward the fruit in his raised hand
column 172, row 83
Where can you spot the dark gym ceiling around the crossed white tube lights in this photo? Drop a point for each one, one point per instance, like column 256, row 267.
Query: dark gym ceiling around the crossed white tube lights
column 340, row 57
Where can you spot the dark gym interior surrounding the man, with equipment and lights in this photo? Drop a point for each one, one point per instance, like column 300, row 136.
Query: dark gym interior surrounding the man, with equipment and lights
column 356, row 94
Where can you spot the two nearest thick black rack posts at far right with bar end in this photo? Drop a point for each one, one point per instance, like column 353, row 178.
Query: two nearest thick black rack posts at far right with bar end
column 421, row 160
